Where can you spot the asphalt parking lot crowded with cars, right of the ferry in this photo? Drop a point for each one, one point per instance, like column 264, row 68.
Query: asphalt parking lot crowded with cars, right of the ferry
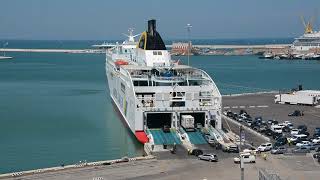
column 262, row 106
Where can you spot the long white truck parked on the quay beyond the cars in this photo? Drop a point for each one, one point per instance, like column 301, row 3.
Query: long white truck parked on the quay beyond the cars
column 304, row 97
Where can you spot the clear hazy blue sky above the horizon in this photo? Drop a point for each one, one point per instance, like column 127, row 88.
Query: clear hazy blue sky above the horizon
column 107, row 19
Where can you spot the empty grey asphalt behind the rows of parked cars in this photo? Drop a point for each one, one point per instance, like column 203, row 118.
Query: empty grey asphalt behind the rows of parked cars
column 263, row 105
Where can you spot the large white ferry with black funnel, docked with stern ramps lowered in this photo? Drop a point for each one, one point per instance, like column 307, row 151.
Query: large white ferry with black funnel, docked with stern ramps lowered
column 153, row 93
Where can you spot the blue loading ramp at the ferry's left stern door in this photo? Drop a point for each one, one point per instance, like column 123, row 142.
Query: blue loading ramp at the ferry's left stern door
column 160, row 137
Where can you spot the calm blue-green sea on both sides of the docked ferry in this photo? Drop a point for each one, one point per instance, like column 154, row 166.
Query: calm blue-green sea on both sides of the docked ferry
column 55, row 108
